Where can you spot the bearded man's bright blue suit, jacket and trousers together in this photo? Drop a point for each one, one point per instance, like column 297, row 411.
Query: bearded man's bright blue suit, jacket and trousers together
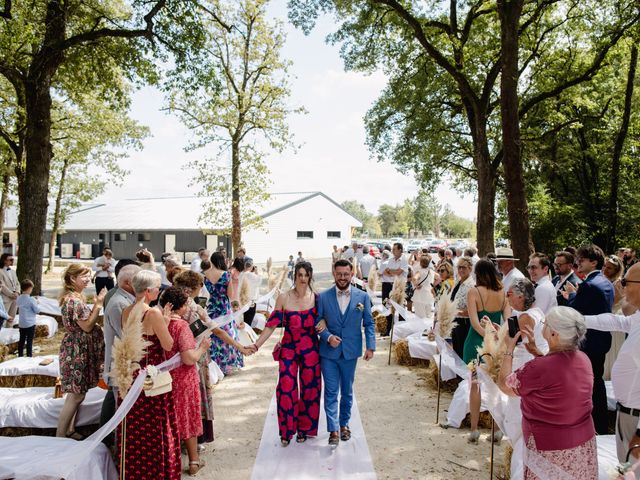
column 339, row 363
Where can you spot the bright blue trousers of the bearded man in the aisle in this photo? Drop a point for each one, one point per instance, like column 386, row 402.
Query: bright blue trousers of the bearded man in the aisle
column 338, row 378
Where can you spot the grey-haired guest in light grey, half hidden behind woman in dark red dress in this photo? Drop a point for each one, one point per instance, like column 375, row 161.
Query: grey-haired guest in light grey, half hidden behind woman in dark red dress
column 123, row 297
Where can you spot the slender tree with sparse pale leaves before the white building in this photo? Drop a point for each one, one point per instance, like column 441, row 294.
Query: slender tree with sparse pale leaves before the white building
column 251, row 106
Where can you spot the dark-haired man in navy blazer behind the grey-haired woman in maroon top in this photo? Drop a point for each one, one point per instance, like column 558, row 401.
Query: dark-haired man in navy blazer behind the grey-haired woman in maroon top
column 594, row 296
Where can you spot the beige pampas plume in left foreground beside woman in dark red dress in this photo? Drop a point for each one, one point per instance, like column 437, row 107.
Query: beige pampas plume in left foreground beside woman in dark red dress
column 129, row 349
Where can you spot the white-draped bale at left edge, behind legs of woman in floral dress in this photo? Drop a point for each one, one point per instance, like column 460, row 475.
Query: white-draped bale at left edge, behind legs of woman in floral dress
column 35, row 407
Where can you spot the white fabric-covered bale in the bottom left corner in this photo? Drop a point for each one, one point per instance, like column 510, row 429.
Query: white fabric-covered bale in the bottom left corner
column 27, row 457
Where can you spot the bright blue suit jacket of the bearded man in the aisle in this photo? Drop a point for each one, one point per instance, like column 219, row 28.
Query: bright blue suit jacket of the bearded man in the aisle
column 347, row 326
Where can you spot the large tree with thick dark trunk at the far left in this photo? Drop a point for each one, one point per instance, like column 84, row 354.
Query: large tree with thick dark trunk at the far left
column 45, row 40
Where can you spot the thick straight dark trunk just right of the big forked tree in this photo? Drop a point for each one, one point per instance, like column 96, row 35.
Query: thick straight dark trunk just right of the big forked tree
column 517, row 209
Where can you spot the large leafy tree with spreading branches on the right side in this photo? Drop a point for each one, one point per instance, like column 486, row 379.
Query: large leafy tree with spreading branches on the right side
column 443, row 64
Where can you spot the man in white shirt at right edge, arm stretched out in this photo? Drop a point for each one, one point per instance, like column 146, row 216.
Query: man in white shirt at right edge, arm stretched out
column 625, row 374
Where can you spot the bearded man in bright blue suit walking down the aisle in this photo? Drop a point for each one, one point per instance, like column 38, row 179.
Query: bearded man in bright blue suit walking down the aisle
column 345, row 310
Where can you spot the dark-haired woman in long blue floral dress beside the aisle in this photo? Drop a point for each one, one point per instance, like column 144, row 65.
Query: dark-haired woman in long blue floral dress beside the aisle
column 218, row 284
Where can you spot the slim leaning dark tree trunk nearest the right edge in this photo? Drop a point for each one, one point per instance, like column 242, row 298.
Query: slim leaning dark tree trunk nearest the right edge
column 617, row 153
